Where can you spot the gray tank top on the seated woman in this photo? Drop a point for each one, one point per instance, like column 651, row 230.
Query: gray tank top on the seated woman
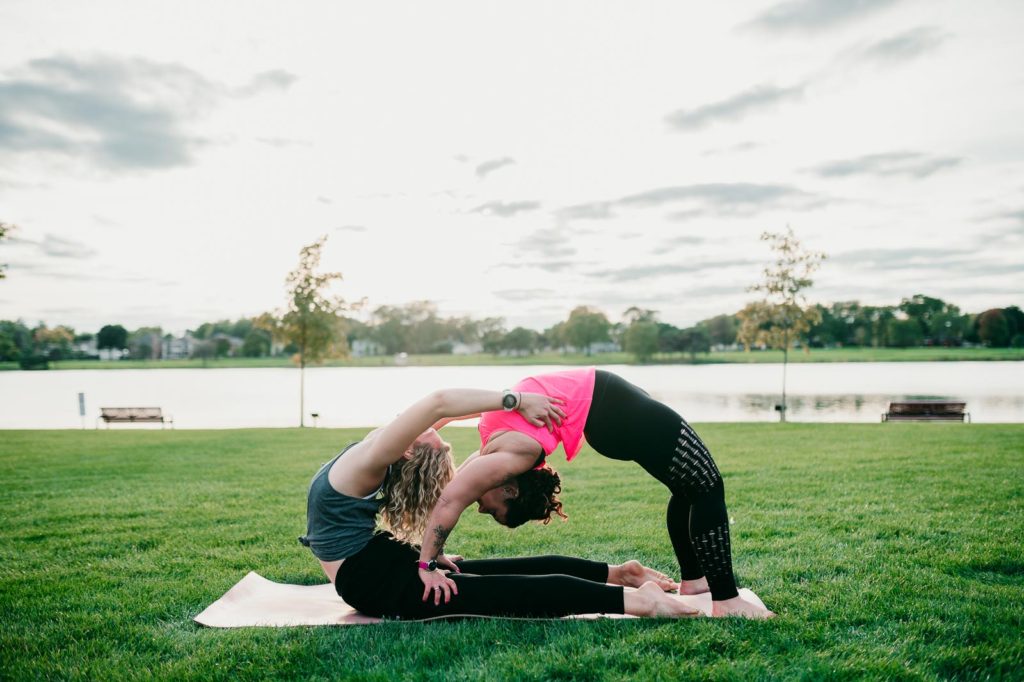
column 338, row 526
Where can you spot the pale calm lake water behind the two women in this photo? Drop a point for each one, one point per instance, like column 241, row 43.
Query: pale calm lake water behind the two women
column 366, row 397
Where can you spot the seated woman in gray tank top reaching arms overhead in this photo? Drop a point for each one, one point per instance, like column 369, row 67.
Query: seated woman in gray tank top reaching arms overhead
column 398, row 473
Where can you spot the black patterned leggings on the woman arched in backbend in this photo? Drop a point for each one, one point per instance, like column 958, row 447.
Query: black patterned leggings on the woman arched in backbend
column 625, row 423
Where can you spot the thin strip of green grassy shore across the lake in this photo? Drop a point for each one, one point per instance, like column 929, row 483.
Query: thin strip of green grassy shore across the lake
column 554, row 359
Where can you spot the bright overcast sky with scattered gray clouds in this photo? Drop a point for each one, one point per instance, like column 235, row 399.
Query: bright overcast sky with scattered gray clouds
column 165, row 162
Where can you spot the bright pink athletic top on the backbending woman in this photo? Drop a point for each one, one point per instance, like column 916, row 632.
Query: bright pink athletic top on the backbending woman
column 574, row 387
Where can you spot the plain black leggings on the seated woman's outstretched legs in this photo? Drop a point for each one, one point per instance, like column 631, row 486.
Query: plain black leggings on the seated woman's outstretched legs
column 381, row 580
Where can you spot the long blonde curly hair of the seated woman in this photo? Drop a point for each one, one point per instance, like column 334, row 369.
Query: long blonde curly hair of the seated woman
column 413, row 488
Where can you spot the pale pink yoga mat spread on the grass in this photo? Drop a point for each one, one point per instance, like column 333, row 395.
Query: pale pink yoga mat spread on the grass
column 255, row 602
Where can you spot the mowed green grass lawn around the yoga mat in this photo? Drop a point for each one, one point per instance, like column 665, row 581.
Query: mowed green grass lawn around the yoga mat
column 889, row 551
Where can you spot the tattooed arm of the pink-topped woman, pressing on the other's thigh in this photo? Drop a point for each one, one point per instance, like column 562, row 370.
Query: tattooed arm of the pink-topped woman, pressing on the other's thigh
column 475, row 479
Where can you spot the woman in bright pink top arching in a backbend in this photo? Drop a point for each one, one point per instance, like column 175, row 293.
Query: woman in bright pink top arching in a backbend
column 508, row 478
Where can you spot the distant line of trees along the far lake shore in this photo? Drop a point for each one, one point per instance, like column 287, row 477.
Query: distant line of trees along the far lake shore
column 417, row 328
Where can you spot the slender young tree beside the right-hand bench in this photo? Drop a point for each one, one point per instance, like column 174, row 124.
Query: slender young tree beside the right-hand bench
column 783, row 316
